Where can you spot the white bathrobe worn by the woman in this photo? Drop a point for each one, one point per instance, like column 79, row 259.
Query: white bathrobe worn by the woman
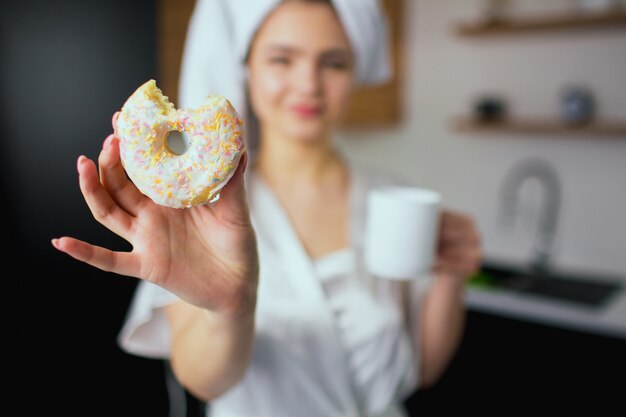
column 330, row 339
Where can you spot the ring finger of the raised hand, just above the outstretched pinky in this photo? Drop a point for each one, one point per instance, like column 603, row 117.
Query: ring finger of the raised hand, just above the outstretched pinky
column 102, row 206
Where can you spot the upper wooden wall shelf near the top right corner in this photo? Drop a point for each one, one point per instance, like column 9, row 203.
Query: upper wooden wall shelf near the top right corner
column 616, row 19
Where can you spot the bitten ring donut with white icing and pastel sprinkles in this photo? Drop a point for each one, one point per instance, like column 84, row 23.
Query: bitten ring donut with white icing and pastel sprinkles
column 216, row 143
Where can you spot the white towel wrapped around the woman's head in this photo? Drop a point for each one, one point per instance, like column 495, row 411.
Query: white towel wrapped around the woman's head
column 220, row 32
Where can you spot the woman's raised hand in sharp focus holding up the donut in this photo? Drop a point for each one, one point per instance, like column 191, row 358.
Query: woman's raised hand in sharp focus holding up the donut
column 206, row 255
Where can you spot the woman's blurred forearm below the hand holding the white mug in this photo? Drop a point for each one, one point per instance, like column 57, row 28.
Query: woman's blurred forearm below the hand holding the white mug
column 442, row 324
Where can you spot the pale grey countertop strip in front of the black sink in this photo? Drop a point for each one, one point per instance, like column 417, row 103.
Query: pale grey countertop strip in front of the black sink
column 608, row 319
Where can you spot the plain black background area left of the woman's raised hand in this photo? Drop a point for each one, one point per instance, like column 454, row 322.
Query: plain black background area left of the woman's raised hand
column 66, row 67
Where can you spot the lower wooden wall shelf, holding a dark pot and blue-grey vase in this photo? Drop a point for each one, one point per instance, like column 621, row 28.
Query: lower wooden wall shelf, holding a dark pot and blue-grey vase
column 542, row 127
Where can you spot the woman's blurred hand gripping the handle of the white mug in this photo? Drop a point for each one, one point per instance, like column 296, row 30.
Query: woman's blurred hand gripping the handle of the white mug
column 459, row 251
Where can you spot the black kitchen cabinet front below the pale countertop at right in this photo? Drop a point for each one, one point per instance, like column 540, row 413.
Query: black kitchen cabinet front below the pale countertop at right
column 510, row 367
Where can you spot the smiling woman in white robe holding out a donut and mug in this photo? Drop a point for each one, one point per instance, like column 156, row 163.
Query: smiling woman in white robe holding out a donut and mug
column 261, row 301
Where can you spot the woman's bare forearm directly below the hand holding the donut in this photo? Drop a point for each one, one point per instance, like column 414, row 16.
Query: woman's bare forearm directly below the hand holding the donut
column 210, row 352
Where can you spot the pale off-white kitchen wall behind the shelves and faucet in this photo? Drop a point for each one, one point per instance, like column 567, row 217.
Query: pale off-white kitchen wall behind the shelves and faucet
column 444, row 74
